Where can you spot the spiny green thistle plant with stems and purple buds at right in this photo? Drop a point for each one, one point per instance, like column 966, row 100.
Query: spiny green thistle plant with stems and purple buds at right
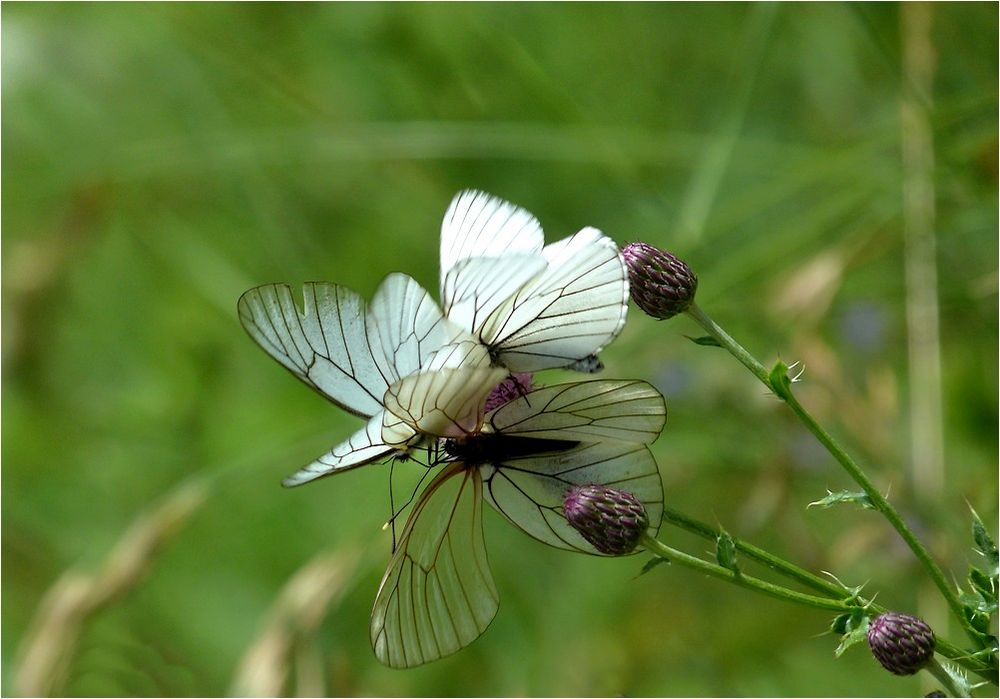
column 663, row 286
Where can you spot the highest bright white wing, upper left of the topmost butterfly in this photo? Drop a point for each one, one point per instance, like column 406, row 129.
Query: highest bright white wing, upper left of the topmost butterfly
column 479, row 225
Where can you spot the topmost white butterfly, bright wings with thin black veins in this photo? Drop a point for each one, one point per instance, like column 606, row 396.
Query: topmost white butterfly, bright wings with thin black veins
column 534, row 307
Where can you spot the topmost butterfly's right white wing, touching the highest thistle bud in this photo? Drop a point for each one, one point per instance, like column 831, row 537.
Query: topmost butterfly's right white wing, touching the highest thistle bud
column 568, row 312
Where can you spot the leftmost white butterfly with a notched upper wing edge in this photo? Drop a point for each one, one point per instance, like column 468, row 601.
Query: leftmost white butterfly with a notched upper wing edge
column 352, row 352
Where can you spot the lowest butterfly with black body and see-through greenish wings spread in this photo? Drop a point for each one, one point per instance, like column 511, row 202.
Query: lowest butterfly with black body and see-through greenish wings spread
column 438, row 595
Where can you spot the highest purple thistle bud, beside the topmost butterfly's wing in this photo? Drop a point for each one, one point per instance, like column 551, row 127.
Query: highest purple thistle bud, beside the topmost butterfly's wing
column 662, row 284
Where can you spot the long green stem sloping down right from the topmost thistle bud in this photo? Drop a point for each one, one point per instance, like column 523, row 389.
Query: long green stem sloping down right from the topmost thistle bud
column 853, row 470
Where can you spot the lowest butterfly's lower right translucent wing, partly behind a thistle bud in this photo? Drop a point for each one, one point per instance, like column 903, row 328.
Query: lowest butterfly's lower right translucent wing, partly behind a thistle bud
column 529, row 490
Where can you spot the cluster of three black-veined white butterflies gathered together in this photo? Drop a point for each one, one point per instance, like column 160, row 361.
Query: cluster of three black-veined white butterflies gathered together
column 422, row 373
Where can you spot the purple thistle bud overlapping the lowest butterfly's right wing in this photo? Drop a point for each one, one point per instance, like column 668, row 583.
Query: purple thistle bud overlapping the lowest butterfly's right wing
column 611, row 520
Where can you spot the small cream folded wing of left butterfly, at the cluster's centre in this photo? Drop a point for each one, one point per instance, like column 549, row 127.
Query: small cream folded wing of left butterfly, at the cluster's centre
column 445, row 403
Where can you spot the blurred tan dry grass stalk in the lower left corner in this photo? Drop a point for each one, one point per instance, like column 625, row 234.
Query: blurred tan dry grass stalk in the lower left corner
column 49, row 646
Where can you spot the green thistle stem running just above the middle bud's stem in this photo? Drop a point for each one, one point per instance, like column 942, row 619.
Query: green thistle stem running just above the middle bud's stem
column 957, row 655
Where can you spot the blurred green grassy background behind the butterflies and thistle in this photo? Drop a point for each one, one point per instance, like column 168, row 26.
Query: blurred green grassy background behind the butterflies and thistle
column 158, row 160
